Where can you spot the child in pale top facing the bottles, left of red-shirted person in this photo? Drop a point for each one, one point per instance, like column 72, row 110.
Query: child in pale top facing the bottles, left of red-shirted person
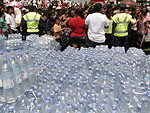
column 58, row 29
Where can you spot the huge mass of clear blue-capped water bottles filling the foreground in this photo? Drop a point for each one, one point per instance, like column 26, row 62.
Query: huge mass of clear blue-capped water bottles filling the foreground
column 89, row 80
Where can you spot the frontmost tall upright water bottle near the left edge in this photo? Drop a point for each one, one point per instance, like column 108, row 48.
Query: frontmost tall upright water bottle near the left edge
column 9, row 90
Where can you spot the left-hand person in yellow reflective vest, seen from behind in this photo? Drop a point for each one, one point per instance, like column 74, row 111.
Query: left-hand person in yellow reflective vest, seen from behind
column 31, row 23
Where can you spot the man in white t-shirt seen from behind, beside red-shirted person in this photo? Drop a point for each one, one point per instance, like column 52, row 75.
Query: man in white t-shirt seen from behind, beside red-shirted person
column 95, row 23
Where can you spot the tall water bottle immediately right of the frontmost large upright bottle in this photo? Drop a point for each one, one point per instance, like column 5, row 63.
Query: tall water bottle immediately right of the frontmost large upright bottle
column 18, row 76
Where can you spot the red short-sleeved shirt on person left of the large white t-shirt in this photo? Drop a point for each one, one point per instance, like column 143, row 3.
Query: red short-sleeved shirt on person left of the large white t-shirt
column 78, row 27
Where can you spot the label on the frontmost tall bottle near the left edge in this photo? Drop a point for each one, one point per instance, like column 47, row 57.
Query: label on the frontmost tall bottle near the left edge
column 8, row 83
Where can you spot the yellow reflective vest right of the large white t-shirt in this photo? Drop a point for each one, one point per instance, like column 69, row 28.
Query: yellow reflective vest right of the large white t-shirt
column 122, row 20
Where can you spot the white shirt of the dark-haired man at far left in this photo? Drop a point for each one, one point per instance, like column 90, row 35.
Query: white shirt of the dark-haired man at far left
column 10, row 19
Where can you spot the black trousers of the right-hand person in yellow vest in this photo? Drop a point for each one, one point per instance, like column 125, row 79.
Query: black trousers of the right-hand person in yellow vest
column 121, row 41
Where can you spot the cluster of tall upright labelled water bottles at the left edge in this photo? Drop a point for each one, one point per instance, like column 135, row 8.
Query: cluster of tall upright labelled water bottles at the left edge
column 16, row 72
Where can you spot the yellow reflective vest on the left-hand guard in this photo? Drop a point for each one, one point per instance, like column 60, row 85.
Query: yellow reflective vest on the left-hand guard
column 32, row 19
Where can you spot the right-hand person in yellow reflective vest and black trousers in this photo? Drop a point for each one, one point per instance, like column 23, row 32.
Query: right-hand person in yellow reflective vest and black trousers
column 121, row 28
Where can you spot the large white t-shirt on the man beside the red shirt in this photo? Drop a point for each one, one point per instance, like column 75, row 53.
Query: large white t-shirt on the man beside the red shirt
column 96, row 23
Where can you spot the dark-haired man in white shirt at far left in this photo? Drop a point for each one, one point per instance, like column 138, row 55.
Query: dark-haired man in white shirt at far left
column 10, row 20
